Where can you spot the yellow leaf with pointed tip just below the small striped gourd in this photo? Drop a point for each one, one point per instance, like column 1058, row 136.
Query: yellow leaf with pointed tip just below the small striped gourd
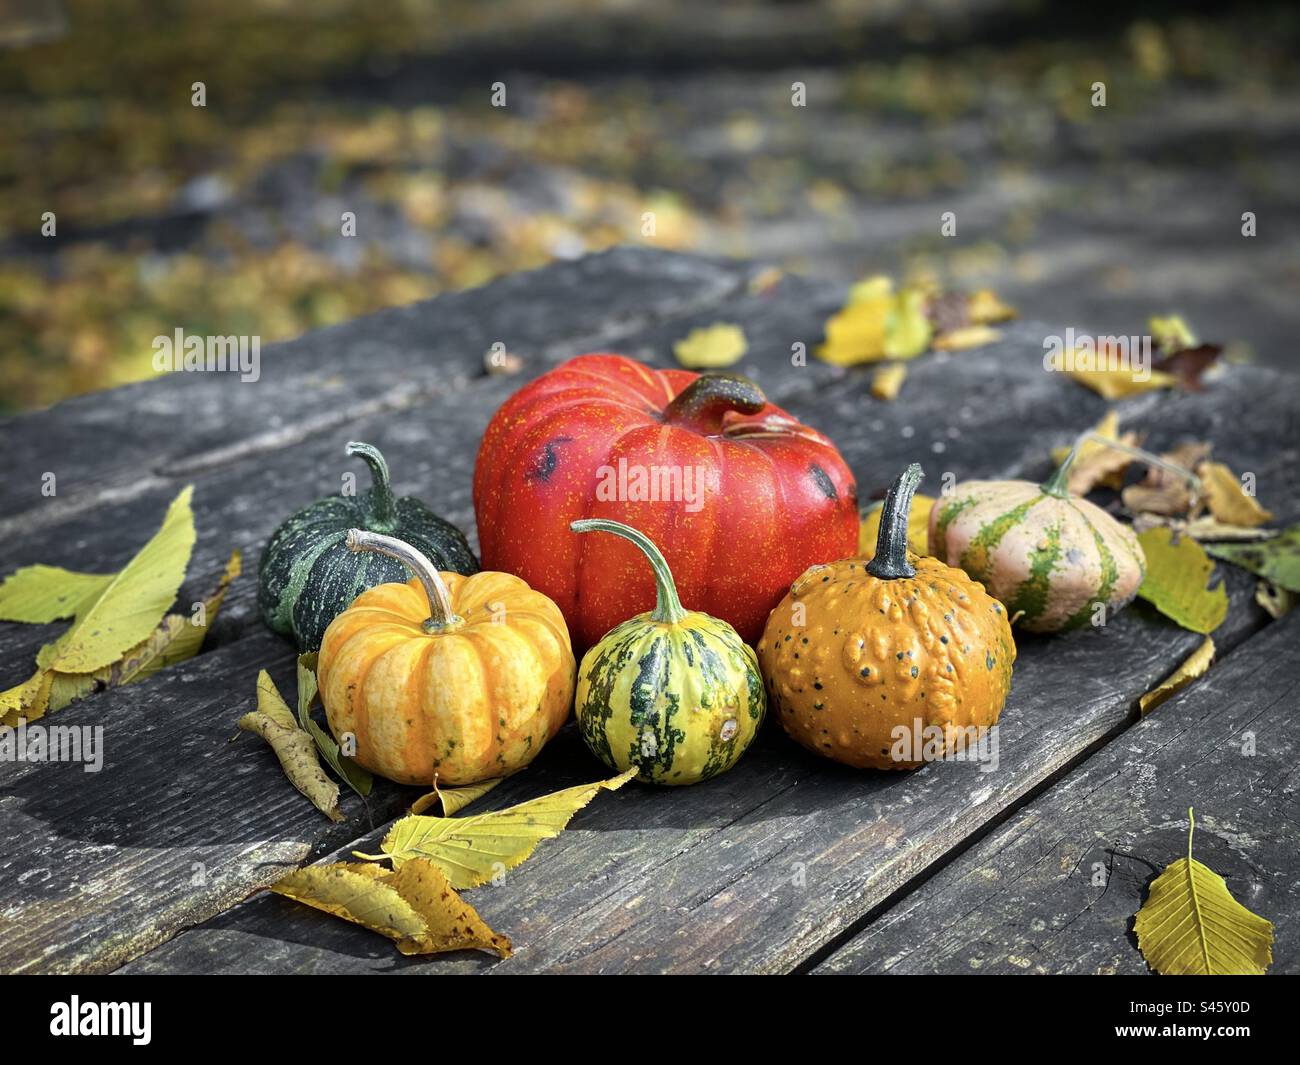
column 474, row 850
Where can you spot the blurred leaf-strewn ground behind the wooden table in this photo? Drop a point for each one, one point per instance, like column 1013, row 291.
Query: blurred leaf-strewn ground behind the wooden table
column 226, row 219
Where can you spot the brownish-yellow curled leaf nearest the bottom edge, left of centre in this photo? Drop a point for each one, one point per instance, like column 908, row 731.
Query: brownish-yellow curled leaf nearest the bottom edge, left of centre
column 415, row 907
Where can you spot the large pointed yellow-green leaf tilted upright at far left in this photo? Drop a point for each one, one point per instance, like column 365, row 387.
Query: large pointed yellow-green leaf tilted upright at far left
column 133, row 603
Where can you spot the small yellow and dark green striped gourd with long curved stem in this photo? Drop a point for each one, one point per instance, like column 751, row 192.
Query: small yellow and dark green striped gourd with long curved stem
column 674, row 692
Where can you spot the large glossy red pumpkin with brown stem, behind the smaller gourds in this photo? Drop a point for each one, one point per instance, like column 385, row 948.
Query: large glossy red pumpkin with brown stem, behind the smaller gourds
column 740, row 497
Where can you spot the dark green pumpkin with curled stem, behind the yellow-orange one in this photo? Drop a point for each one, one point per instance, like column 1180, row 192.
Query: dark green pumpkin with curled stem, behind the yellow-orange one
column 307, row 574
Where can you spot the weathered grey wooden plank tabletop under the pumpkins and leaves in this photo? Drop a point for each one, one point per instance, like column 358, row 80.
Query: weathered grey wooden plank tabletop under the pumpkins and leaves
column 786, row 864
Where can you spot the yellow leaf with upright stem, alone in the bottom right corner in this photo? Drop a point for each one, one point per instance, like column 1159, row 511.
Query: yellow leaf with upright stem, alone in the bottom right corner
column 1191, row 925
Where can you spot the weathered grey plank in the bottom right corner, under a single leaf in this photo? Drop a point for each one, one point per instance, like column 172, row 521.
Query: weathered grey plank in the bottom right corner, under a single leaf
column 1056, row 889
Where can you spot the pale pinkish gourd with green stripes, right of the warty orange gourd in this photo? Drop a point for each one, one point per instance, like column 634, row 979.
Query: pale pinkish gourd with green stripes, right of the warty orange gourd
column 1050, row 557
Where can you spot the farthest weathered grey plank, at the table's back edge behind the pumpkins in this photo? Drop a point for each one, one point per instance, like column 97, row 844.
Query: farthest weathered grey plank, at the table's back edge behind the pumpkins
column 116, row 444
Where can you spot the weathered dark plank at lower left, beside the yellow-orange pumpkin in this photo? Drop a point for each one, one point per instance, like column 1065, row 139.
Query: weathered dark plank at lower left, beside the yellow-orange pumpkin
column 179, row 824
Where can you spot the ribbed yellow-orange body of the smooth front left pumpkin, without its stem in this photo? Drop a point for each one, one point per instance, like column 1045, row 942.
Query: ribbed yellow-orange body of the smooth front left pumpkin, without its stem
column 469, row 705
